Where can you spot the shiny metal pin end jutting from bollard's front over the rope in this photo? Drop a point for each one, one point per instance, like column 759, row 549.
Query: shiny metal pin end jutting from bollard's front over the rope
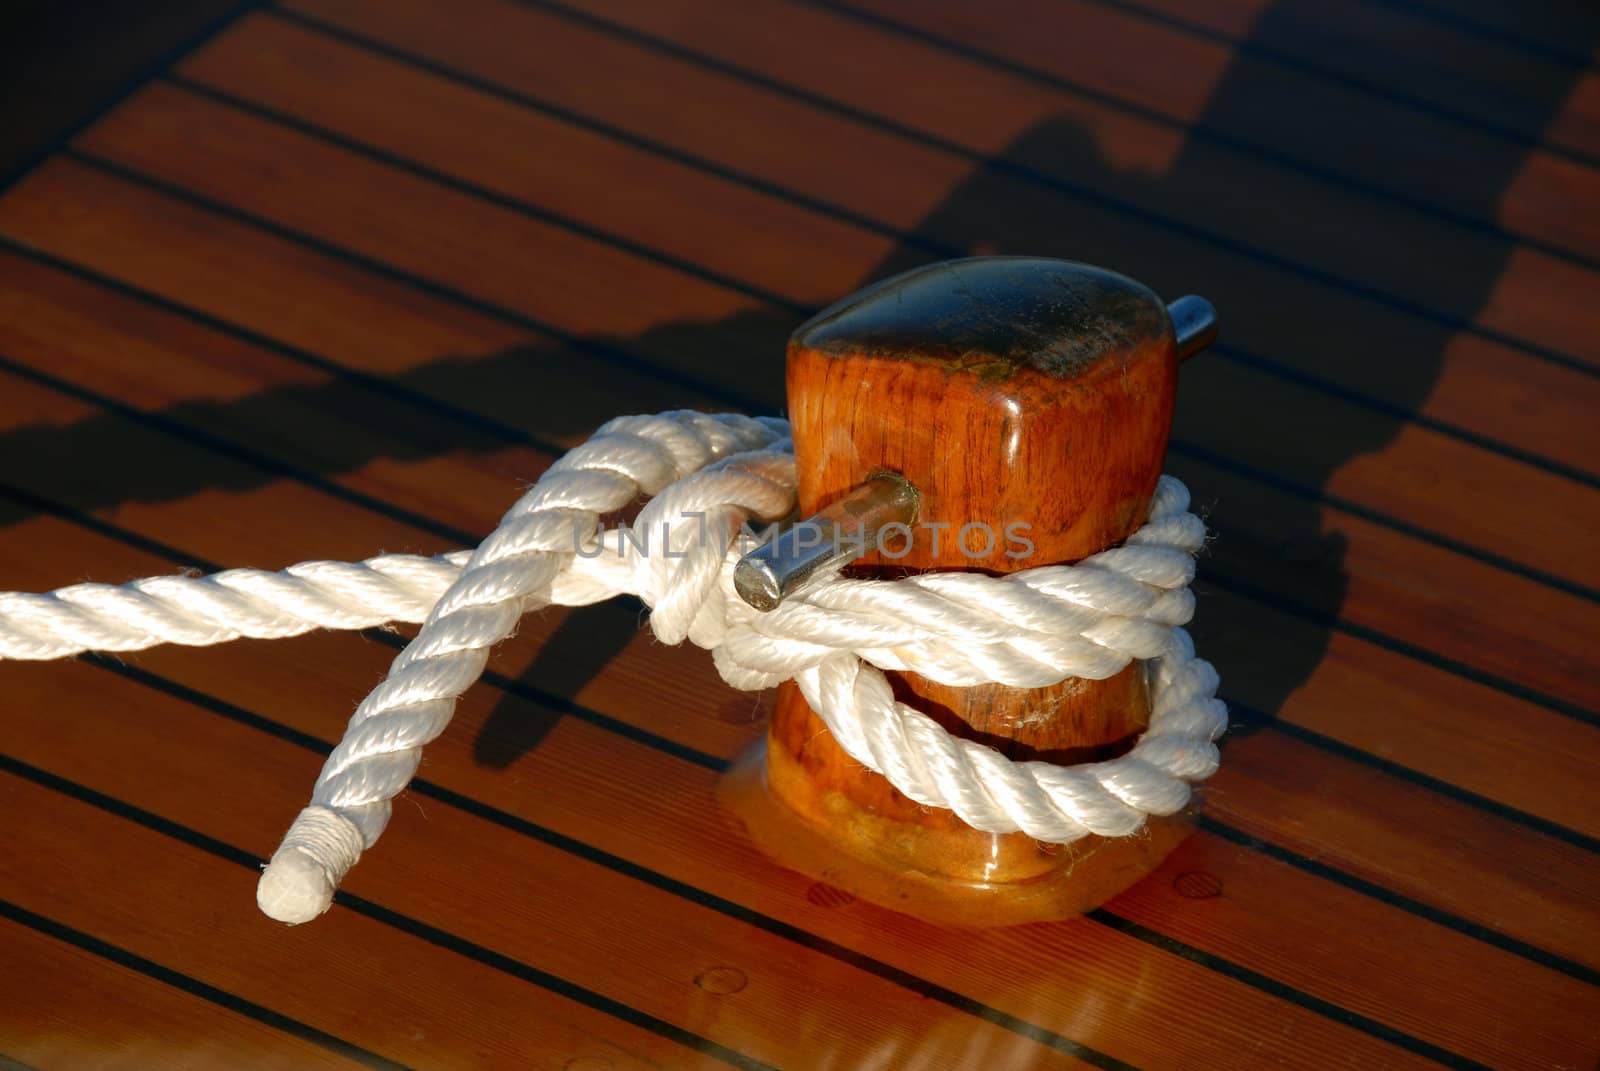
column 839, row 532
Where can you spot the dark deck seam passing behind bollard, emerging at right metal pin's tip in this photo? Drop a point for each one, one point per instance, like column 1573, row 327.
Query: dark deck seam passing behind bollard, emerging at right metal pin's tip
column 905, row 238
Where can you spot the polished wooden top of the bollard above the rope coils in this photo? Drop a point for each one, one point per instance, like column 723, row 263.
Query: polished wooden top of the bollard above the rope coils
column 1022, row 395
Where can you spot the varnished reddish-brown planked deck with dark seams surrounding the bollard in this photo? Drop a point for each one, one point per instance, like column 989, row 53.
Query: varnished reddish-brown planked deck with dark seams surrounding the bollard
column 351, row 271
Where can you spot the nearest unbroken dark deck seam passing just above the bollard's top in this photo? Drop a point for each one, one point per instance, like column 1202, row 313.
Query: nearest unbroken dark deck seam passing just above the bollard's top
column 1105, row 201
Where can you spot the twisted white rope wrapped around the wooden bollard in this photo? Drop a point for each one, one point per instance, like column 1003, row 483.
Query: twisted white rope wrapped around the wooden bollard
column 708, row 476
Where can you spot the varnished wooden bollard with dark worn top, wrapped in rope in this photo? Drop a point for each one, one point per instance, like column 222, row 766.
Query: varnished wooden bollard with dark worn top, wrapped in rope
column 1030, row 404
